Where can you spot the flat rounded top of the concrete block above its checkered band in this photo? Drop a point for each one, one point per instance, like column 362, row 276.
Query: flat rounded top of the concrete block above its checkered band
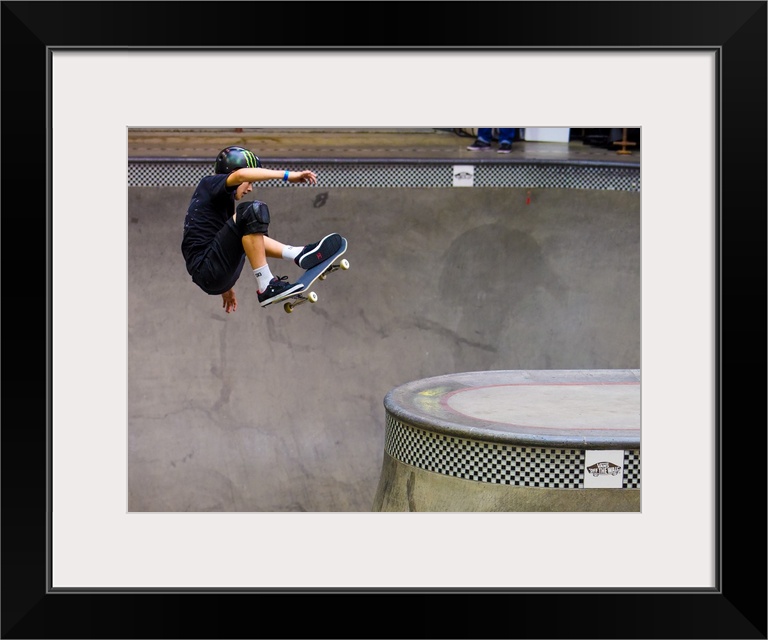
column 590, row 409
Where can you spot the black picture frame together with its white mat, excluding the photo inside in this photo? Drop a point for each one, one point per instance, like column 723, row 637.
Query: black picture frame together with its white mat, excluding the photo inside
column 77, row 563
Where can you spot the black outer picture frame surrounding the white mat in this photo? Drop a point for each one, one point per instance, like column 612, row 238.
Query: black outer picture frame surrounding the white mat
column 735, row 609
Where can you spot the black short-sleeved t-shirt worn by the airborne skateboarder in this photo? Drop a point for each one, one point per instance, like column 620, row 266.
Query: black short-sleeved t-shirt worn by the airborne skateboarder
column 212, row 204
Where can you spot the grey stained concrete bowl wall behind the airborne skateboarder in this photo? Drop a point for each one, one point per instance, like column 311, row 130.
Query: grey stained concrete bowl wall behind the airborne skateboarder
column 266, row 411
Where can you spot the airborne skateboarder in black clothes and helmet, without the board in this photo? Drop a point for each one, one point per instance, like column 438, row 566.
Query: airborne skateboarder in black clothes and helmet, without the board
column 218, row 236
